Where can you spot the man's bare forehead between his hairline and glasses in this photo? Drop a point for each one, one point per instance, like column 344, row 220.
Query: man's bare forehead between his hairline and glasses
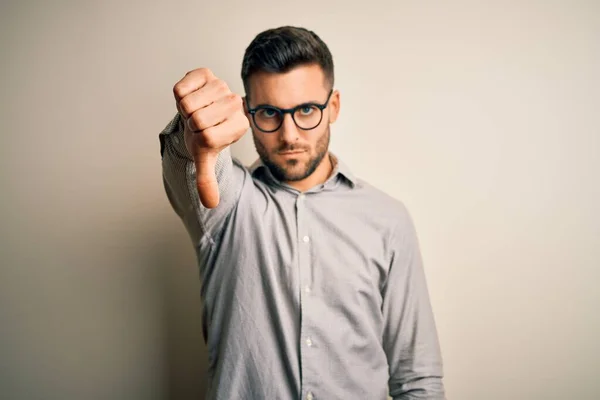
column 302, row 84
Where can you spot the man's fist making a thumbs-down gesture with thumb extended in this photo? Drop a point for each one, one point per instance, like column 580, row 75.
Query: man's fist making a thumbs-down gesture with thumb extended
column 213, row 119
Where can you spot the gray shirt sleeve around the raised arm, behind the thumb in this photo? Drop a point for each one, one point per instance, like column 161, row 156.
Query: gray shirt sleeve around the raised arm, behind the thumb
column 179, row 180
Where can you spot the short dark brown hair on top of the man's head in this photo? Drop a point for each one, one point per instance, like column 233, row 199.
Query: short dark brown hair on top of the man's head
column 281, row 49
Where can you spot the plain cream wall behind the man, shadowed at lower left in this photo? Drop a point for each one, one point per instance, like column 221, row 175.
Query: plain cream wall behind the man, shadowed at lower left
column 481, row 116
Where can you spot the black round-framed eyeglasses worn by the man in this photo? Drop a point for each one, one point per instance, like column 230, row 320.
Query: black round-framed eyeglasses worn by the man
column 306, row 116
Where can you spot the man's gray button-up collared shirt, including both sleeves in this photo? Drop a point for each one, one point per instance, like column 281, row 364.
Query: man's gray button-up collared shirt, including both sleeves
column 314, row 295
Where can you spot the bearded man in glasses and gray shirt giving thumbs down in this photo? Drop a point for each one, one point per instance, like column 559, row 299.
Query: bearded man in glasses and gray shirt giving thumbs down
column 312, row 280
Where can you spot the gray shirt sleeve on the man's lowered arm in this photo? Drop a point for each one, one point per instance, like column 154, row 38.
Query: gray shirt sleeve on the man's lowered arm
column 410, row 337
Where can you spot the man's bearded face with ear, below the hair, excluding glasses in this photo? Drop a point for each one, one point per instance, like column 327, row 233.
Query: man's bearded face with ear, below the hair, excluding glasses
column 292, row 154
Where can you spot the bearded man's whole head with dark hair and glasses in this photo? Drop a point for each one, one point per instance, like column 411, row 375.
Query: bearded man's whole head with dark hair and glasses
column 283, row 69
